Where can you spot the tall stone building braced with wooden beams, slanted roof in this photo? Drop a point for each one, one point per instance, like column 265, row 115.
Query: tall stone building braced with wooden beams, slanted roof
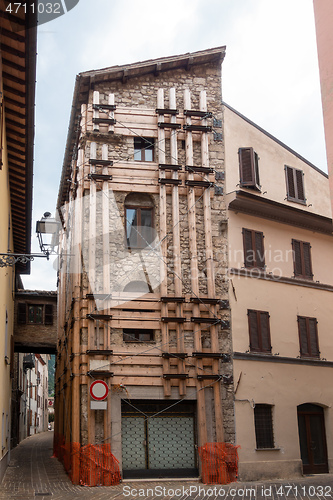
column 143, row 292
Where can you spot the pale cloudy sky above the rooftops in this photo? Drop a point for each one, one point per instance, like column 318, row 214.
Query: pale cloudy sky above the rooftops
column 270, row 73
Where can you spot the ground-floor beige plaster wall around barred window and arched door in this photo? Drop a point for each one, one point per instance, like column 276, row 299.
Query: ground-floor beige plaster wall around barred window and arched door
column 285, row 387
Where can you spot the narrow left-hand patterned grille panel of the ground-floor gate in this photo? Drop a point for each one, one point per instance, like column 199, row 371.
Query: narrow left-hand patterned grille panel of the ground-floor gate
column 133, row 442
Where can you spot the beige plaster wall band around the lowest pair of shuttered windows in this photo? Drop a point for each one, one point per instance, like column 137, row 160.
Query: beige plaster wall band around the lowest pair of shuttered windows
column 283, row 302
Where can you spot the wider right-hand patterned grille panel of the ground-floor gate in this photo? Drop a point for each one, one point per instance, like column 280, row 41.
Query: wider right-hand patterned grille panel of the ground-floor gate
column 171, row 443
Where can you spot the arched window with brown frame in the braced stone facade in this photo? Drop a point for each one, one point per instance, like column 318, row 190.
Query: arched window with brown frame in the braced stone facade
column 139, row 220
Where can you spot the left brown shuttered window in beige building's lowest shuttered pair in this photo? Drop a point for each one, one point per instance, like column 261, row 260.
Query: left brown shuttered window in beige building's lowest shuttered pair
column 259, row 332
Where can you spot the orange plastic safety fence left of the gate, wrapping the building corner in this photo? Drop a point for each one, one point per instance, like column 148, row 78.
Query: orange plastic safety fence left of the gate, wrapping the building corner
column 89, row 465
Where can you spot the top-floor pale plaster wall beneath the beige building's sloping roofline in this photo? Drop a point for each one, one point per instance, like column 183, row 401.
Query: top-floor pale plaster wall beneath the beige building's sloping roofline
column 272, row 159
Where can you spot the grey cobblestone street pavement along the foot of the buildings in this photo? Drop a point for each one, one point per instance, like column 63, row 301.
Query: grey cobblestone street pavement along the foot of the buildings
column 34, row 474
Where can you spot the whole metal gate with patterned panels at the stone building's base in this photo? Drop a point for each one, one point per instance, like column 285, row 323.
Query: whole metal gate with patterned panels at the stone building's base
column 157, row 442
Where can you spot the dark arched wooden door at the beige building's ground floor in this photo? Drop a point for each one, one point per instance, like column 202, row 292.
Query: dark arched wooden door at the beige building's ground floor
column 312, row 438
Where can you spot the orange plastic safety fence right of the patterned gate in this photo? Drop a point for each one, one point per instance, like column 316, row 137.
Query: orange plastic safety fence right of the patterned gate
column 219, row 463
